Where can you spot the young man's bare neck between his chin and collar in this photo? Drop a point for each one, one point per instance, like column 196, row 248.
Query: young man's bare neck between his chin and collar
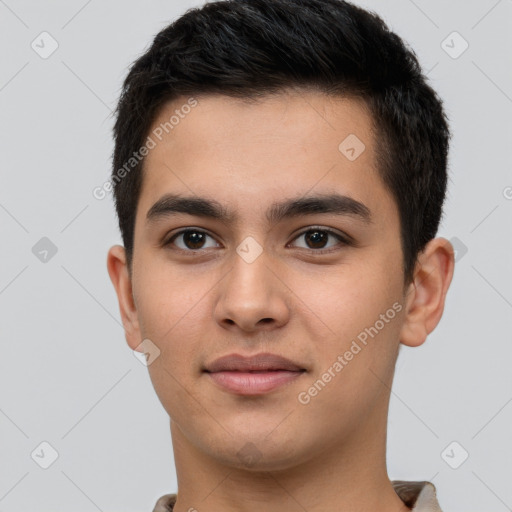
column 348, row 477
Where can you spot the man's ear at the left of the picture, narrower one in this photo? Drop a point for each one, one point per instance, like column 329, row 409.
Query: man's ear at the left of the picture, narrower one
column 120, row 277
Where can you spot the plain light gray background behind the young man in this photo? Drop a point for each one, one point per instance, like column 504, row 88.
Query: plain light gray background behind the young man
column 67, row 376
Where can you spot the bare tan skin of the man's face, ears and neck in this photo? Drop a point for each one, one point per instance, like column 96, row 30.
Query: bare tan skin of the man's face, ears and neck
column 328, row 454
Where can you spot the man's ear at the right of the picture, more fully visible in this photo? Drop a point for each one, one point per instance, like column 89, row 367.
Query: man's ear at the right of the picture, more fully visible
column 425, row 296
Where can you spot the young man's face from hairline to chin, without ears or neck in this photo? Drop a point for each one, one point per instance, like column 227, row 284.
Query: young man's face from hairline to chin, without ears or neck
column 318, row 281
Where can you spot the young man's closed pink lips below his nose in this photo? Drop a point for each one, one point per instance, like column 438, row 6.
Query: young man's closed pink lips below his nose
column 253, row 375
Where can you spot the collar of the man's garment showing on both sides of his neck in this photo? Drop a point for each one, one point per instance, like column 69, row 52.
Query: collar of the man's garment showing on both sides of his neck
column 418, row 496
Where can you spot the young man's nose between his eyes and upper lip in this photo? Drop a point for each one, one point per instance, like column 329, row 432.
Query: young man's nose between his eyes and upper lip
column 252, row 297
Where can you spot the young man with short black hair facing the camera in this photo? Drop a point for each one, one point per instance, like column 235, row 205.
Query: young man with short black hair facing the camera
column 279, row 176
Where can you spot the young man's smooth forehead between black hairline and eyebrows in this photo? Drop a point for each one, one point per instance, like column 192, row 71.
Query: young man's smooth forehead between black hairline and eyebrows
column 246, row 153
